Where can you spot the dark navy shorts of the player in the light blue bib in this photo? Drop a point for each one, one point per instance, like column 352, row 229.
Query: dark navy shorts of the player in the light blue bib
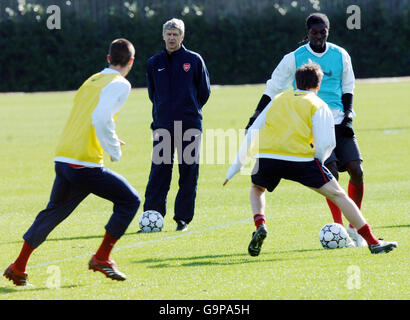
column 346, row 150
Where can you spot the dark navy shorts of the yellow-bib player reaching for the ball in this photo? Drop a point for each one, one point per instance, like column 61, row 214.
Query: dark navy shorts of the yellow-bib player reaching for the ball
column 267, row 173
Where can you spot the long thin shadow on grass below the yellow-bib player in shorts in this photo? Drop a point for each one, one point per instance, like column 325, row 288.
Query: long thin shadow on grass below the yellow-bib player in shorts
column 224, row 259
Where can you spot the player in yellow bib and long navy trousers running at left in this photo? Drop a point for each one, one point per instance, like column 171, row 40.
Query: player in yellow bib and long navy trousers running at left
column 79, row 167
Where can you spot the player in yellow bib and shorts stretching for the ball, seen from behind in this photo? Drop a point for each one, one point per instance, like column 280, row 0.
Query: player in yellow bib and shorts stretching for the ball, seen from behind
column 295, row 134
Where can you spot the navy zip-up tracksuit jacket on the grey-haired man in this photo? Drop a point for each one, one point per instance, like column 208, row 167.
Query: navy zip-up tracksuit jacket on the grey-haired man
column 178, row 86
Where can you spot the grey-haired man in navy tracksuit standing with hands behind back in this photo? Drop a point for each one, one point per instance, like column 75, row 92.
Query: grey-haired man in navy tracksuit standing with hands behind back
column 178, row 86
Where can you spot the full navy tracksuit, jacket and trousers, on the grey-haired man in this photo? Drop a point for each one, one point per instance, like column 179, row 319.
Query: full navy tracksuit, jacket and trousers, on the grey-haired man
column 178, row 86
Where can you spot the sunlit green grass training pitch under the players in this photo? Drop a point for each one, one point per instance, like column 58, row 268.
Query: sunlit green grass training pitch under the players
column 210, row 260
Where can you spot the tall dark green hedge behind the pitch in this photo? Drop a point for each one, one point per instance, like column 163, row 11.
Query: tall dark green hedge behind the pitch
column 237, row 50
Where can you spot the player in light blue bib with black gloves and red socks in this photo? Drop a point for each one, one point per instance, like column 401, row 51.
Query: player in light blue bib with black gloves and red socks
column 337, row 91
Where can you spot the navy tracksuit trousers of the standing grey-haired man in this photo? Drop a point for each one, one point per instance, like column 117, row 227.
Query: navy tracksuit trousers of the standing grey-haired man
column 161, row 173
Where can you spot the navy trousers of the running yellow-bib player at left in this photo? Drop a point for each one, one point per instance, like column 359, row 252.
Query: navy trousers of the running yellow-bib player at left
column 73, row 185
